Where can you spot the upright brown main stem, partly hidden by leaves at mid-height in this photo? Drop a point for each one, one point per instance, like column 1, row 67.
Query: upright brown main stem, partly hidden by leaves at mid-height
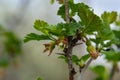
column 70, row 46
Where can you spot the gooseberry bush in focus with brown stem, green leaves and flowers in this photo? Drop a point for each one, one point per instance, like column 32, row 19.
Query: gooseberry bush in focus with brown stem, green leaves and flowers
column 93, row 30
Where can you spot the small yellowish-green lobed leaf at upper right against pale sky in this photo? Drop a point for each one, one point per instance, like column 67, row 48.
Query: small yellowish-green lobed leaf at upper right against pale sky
column 109, row 17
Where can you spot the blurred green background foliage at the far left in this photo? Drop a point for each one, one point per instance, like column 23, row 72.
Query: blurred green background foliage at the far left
column 10, row 48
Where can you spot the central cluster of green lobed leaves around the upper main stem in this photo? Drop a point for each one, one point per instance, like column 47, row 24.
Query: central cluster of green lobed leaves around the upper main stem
column 88, row 24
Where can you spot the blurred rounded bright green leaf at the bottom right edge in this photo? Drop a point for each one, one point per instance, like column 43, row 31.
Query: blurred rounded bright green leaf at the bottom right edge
column 101, row 72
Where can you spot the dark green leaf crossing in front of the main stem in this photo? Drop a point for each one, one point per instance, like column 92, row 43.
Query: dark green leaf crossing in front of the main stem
column 64, row 29
